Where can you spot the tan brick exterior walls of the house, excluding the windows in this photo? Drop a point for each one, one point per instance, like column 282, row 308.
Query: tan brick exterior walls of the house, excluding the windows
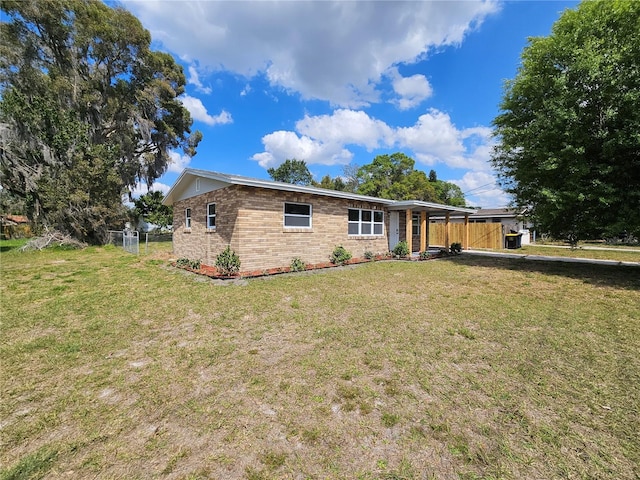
column 251, row 221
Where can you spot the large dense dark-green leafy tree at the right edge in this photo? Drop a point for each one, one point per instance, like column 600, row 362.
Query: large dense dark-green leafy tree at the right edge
column 568, row 131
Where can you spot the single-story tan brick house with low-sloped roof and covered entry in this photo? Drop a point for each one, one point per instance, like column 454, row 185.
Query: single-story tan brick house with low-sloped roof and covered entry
column 269, row 223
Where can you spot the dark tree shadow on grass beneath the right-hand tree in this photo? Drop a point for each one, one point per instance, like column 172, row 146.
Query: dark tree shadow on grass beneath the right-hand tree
column 617, row 276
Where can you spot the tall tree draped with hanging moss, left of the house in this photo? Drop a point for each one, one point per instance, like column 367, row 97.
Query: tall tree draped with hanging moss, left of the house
column 87, row 111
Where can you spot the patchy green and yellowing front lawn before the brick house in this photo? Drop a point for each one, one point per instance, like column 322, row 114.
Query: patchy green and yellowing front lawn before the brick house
column 116, row 366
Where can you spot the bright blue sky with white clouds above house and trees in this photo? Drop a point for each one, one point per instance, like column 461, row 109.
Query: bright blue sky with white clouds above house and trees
column 333, row 83
